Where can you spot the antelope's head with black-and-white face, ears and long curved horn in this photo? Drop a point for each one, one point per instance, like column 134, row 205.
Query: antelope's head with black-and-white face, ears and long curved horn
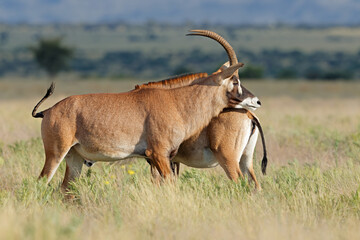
column 238, row 95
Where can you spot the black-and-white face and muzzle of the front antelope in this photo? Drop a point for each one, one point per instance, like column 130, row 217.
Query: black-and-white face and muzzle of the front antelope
column 240, row 97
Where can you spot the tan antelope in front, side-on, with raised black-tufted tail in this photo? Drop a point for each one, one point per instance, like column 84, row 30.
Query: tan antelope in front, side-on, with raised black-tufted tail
column 150, row 123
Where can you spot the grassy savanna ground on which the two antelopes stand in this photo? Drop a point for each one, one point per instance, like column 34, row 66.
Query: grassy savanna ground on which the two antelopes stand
column 311, row 191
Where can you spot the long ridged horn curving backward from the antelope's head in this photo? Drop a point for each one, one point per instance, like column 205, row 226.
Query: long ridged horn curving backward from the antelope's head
column 229, row 50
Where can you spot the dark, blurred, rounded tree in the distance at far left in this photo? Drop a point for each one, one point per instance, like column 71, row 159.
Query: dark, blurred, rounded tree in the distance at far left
column 51, row 55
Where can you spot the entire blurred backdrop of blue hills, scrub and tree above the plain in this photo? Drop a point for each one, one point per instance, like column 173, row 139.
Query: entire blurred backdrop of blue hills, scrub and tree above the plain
column 276, row 39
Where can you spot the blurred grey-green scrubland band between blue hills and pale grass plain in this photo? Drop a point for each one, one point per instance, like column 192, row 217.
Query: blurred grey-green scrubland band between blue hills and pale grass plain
column 159, row 50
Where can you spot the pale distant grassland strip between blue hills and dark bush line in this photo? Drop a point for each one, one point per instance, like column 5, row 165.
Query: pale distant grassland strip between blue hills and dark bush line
column 97, row 39
